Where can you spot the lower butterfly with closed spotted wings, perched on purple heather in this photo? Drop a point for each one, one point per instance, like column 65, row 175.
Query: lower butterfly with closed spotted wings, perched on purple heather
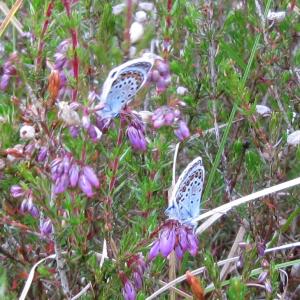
column 186, row 195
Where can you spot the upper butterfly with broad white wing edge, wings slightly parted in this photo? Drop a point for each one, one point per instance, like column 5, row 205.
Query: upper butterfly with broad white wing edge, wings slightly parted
column 122, row 84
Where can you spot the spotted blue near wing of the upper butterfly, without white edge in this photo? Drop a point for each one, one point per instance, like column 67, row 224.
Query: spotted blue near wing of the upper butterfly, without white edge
column 124, row 88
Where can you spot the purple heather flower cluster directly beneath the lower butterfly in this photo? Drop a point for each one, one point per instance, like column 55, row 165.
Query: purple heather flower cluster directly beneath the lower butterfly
column 174, row 236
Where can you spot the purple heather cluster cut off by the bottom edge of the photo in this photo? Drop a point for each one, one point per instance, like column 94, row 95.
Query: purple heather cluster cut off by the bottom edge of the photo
column 137, row 265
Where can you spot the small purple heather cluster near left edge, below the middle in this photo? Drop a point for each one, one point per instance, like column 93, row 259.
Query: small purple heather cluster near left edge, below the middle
column 27, row 205
